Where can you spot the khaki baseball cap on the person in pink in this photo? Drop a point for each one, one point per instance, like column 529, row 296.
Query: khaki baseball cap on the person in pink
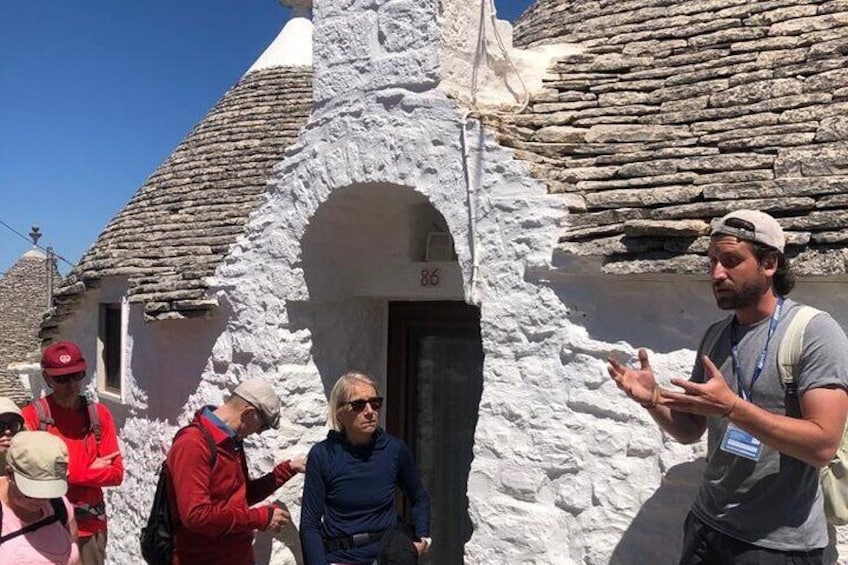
column 39, row 461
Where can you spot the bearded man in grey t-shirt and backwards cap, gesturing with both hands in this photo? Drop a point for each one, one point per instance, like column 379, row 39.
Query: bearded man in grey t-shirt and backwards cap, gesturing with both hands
column 760, row 501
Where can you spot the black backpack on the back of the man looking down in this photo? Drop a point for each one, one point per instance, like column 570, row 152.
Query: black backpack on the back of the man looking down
column 157, row 541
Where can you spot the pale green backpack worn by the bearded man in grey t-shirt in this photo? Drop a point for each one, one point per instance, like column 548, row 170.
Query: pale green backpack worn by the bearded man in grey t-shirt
column 834, row 476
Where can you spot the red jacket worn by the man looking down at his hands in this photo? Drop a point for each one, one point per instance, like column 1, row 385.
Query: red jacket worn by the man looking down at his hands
column 214, row 522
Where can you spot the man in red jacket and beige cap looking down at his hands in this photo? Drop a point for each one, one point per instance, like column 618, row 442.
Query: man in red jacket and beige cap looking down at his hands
column 213, row 495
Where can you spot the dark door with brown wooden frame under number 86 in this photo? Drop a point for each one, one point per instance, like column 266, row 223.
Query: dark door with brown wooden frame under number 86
column 435, row 379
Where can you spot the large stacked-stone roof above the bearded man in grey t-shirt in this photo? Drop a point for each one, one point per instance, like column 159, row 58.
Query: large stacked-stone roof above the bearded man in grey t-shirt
column 678, row 112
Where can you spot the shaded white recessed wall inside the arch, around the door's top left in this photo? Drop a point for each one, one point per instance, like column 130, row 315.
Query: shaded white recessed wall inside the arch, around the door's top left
column 362, row 248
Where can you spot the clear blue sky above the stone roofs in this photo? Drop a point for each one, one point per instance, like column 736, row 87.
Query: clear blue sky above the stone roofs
column 94, row 95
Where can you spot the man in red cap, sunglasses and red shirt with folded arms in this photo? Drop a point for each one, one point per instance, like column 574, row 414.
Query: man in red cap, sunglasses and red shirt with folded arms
column 94, row 458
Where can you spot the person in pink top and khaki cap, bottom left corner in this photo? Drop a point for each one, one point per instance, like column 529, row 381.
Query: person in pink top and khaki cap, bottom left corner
column 38, row 525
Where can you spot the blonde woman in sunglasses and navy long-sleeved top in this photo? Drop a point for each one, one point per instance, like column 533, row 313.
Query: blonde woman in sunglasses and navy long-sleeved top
column 349, row 491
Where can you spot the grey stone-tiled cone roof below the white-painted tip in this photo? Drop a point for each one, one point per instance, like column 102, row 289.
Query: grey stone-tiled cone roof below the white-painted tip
column 180, row 224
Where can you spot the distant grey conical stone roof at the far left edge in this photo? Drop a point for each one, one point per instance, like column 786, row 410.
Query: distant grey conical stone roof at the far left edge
column 23, row 303
